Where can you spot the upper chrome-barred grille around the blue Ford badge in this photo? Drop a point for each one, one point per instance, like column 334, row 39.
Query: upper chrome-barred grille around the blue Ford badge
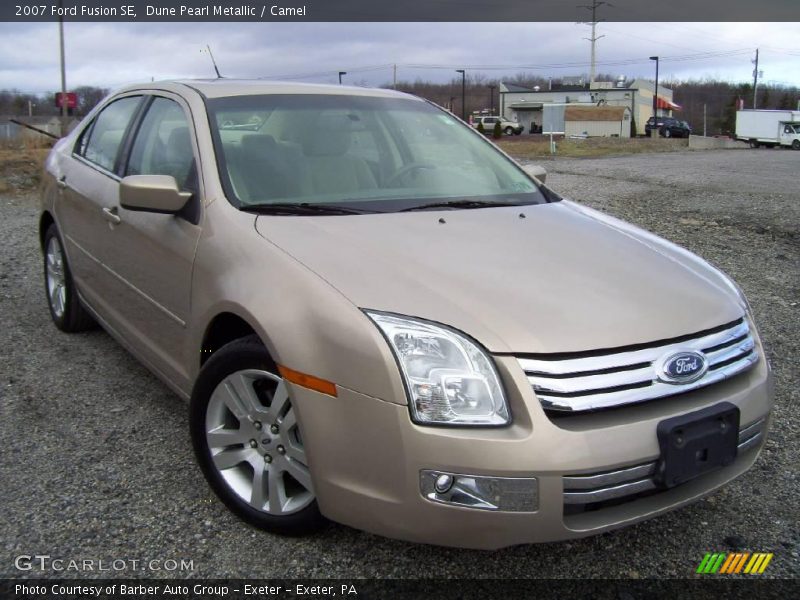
column 589, row 381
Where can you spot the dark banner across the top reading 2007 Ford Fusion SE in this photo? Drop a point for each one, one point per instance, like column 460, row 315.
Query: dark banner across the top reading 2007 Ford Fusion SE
column 408, row 10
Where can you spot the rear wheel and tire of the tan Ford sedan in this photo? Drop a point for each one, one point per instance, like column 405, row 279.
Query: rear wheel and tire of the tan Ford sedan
column 65, row 306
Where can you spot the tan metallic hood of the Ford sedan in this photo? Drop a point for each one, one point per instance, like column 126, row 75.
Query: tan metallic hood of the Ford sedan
column 563, row 278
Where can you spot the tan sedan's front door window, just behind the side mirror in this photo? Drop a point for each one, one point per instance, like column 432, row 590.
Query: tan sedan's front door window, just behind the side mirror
column 163, row 145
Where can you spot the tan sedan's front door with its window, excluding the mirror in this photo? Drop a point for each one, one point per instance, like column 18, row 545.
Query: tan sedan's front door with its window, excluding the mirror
column 151, row 253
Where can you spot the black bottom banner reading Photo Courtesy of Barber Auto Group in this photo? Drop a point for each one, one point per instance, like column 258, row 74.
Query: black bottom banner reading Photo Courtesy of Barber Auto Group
column 711, row 587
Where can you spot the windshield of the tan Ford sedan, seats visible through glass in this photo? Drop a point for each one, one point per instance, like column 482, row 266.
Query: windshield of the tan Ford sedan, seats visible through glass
column 369, row 153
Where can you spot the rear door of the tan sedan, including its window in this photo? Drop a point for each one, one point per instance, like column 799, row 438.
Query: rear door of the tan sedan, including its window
column 88, row 199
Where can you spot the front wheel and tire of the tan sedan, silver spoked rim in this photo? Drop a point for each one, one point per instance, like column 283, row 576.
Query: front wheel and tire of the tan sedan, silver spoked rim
column 248, row 443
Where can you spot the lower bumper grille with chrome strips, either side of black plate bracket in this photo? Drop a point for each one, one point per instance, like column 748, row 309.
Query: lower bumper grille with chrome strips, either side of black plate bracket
column 591, row 491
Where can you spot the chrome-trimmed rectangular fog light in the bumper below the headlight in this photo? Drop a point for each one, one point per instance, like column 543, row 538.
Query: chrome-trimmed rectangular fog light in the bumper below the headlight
column 512, row 494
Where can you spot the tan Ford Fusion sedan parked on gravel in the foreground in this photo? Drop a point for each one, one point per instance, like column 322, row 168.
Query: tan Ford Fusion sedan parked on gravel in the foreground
column 379, row 318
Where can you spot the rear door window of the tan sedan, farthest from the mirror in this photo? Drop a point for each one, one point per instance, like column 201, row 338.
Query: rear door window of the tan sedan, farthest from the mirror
column 100, row 144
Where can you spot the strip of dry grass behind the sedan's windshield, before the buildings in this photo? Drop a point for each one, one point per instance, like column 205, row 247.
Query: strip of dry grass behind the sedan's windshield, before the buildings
column 539, row 146
